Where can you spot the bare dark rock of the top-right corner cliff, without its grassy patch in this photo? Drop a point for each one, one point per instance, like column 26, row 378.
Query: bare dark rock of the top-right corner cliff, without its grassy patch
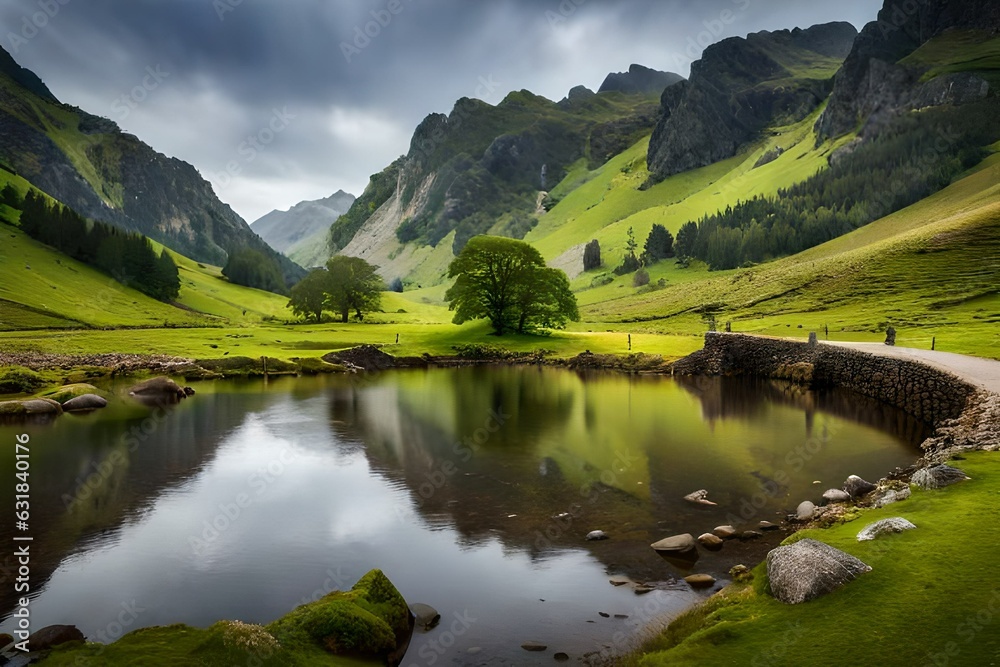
column 873, row 84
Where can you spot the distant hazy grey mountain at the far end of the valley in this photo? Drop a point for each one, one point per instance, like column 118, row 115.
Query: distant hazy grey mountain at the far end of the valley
column 284, row 230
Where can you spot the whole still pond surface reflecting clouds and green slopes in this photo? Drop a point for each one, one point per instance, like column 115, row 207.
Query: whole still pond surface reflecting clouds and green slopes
column 472, row 489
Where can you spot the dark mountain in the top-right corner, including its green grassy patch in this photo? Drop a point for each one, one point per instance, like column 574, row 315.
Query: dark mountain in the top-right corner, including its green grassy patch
column 915, row 55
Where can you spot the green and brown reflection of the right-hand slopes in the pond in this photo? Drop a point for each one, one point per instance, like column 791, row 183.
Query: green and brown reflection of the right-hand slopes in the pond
column 608, row 452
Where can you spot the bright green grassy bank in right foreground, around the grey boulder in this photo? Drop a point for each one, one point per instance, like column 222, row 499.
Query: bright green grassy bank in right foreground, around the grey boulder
column 931, row 598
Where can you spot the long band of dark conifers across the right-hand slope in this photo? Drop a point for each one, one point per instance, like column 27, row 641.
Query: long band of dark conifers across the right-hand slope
column 913, row 158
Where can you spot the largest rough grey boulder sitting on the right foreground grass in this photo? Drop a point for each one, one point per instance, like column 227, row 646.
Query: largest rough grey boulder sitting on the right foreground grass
column 808, row 569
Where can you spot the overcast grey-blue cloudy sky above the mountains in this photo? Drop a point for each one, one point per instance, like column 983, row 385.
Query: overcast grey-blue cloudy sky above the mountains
column 329, row 105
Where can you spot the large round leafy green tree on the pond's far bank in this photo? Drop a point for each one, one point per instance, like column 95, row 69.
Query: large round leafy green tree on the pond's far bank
column 506, row 281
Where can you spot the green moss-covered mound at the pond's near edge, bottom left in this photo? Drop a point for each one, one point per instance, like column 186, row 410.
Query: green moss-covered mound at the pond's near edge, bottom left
column 357, row 627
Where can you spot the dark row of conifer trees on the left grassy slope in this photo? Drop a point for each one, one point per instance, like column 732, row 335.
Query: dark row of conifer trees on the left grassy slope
column 128, row 257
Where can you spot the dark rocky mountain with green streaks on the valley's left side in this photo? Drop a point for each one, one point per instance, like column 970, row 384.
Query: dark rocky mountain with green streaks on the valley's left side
column 90, row 165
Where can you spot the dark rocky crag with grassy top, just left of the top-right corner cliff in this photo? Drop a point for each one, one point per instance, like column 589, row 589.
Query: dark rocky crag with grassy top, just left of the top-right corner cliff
column 740, row 87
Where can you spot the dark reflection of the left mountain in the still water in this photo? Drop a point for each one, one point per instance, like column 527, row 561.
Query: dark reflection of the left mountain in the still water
column 91, row 474
